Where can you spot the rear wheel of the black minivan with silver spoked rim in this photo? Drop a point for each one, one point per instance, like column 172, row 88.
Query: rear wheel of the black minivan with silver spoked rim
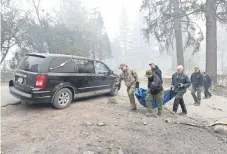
column 62, row 99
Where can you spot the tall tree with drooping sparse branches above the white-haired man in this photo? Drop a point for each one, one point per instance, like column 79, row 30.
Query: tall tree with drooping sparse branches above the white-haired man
column 168, row 20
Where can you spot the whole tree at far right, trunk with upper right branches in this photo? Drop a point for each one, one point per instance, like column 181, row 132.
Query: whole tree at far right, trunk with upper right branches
column 215, row 11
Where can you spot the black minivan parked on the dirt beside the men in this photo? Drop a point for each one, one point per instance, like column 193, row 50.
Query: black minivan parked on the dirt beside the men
column 59, row 79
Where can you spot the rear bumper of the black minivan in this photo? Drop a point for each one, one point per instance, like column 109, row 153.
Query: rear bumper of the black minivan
column 34, row 96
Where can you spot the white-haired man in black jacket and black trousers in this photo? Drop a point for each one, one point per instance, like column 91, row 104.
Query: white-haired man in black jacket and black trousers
column 180, row 83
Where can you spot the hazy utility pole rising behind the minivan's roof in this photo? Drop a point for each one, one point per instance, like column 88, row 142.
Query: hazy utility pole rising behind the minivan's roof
column 94, row 13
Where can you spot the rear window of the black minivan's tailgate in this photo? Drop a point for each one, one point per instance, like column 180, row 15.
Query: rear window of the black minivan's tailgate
column 30, row 63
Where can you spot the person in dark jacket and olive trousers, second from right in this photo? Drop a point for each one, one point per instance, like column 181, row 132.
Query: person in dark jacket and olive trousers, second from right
column 197, row 84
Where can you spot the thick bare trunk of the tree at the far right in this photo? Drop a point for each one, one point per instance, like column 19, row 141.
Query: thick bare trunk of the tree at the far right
column 211, row 39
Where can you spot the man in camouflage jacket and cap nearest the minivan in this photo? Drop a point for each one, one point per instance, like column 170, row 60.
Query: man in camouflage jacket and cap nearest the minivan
column 130, row 78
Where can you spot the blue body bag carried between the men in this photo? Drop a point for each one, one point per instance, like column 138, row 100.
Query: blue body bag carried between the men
column 141, row 96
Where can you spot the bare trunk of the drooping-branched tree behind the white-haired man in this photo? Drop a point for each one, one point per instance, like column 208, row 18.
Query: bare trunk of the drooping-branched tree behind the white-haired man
column 178, row 34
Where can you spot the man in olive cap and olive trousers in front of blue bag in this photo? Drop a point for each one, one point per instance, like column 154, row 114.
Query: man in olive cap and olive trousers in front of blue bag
column 155, row 92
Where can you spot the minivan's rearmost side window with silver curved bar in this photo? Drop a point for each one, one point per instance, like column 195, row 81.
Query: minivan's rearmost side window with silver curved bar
column 62, row 65
